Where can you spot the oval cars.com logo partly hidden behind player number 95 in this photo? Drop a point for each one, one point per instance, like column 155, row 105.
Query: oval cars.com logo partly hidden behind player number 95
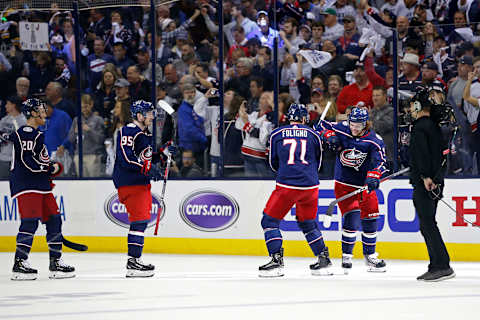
column 117, row 212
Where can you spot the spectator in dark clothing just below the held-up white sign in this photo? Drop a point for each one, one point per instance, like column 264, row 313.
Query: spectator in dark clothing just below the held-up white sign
column 41, row 73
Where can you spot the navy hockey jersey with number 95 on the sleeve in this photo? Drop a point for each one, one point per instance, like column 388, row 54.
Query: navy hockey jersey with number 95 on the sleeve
column 133, row 148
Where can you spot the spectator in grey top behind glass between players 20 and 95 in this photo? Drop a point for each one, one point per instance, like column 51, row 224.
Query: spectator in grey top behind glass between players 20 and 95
column 93, row 133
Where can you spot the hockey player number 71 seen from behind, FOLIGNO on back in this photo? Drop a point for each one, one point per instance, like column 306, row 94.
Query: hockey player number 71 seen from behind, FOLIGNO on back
column 295, row 155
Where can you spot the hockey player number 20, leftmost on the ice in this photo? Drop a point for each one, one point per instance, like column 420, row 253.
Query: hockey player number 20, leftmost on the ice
column 30, row 183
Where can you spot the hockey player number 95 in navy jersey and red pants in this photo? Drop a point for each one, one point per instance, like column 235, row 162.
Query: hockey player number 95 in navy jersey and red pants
column 132, row 173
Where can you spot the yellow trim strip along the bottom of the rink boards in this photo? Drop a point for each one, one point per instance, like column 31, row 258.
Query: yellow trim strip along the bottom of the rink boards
column 251, row 247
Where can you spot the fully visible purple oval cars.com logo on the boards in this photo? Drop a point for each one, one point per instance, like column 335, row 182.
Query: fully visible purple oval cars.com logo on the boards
column 209, row 210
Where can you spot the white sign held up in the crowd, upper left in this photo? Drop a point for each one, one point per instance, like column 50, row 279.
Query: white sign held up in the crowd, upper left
column 34, row 36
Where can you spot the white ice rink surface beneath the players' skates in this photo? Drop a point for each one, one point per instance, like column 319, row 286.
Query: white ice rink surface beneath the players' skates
column 228, row 287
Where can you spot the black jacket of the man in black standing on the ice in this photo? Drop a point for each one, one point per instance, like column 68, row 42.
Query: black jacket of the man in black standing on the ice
column 426, row 152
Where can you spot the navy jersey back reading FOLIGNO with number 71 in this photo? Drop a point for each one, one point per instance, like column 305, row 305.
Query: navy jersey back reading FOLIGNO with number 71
column 296, row 156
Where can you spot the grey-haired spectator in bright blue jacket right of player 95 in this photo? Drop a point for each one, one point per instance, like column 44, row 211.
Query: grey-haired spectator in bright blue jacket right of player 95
column 191, row 132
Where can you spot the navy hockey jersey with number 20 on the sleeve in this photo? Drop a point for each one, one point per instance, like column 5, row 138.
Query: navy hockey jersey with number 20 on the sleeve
column 30, row 163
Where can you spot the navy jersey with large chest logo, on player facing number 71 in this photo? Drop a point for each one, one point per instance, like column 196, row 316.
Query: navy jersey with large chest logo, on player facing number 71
column 358, row 155
